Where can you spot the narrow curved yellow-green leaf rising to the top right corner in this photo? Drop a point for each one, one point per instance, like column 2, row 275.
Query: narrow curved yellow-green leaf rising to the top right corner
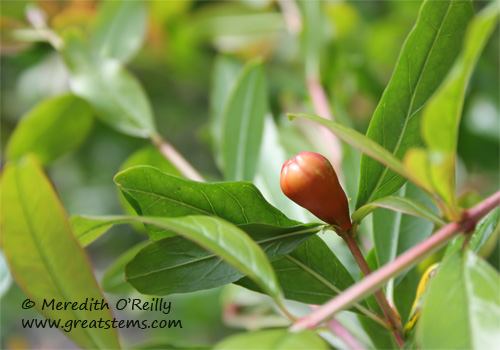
column 441, row 117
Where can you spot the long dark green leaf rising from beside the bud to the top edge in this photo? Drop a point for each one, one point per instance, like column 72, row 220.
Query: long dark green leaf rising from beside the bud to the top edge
column 429, row 51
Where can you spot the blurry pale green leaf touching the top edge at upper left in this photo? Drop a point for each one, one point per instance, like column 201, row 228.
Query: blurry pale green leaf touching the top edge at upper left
column 119, row 30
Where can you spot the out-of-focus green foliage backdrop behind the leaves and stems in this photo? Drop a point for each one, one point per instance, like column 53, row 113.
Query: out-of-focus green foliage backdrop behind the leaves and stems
column 359, row 43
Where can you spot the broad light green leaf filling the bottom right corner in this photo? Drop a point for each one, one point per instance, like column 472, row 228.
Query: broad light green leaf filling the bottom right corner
column 461, row 309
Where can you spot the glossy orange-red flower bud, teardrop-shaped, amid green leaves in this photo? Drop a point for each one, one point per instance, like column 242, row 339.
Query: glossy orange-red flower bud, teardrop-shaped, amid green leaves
column 310, row 181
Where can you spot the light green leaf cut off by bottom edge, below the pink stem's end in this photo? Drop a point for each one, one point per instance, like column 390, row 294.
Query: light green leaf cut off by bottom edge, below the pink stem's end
column 274, row 339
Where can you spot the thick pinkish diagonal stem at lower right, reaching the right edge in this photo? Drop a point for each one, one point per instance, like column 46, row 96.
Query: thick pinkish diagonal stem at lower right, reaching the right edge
column 402, row 263
